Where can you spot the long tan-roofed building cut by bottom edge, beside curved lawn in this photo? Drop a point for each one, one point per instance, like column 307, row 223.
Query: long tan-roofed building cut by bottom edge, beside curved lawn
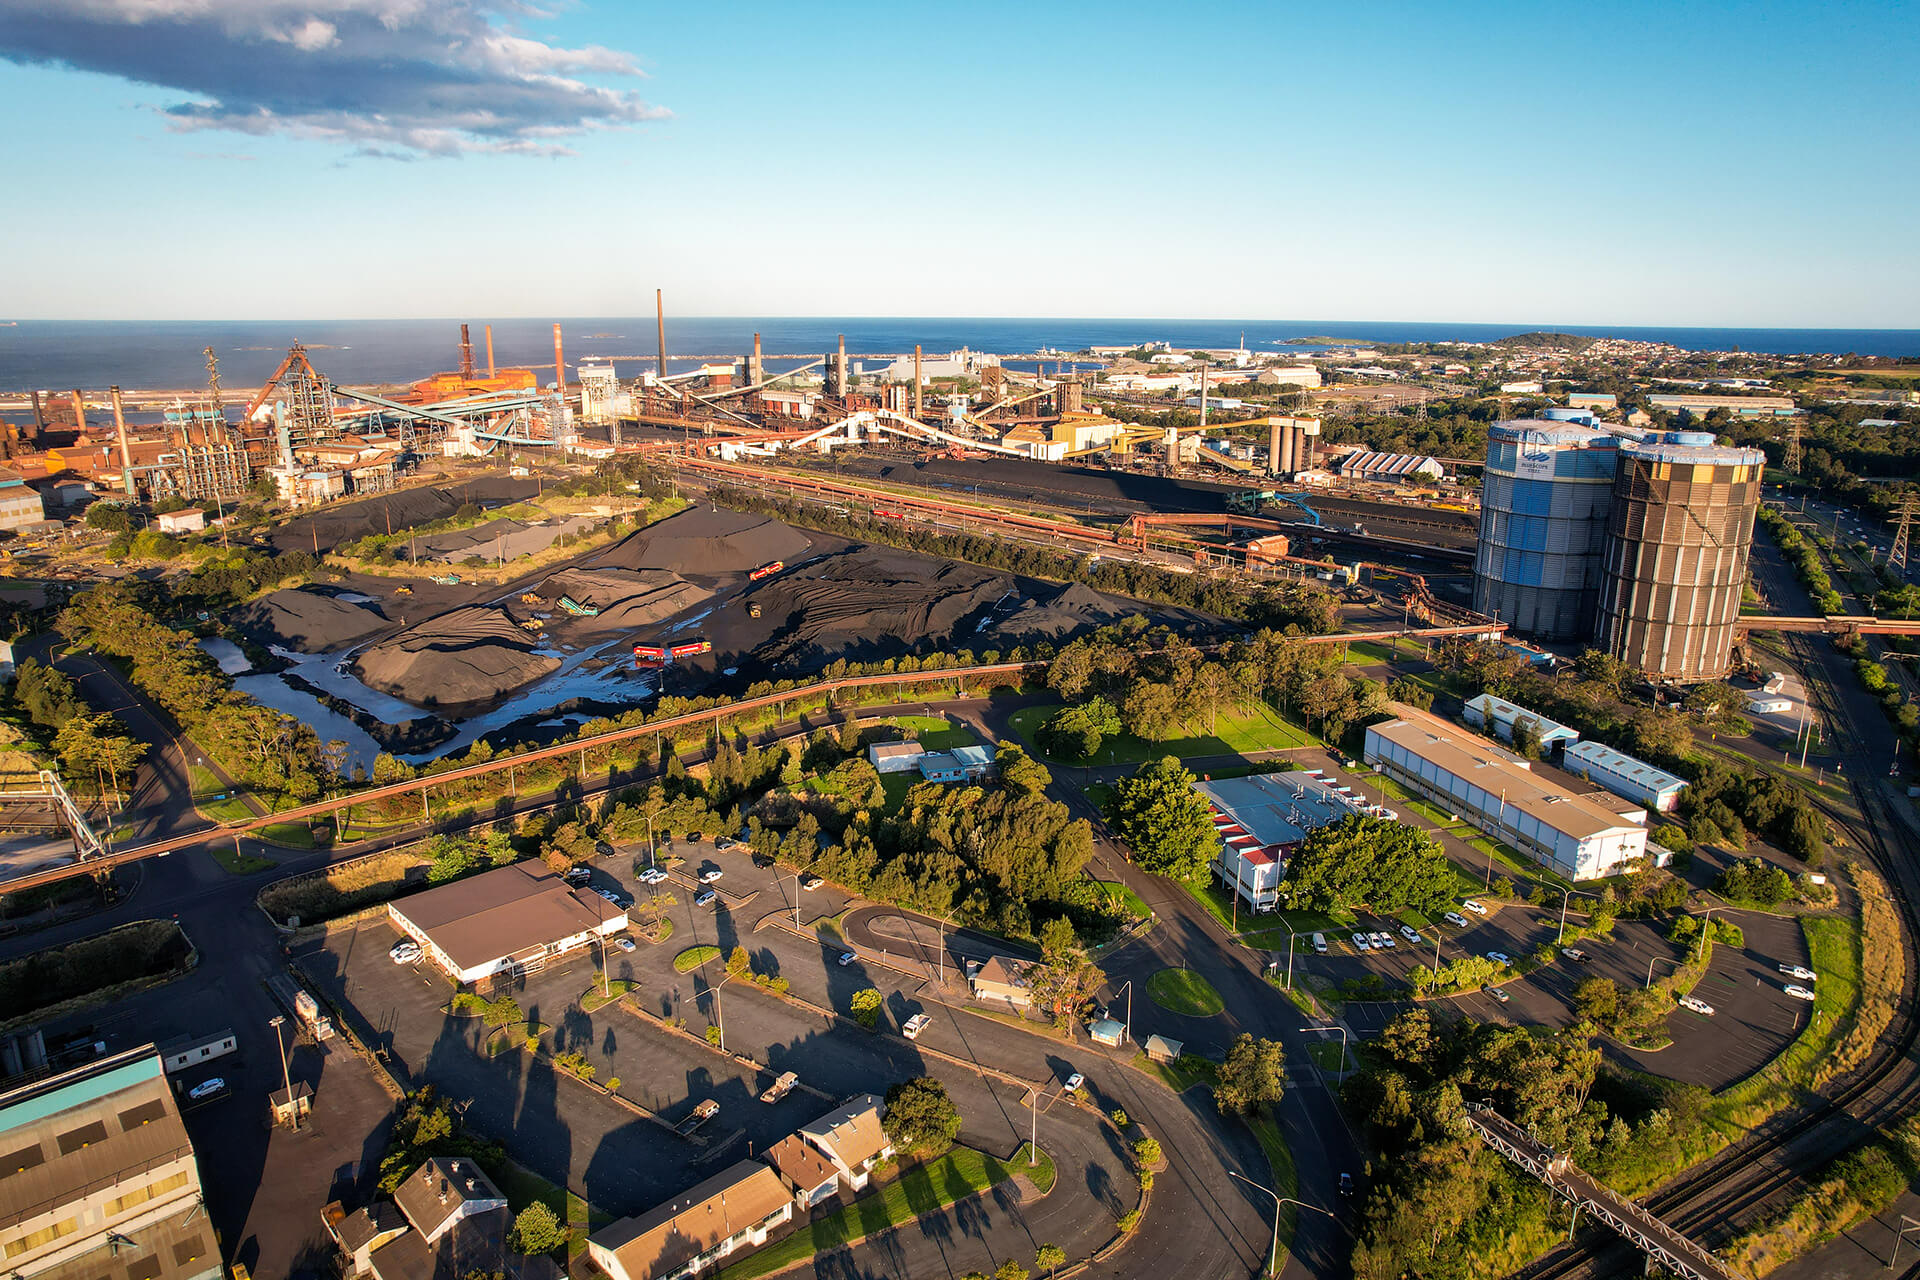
column 727, row 1214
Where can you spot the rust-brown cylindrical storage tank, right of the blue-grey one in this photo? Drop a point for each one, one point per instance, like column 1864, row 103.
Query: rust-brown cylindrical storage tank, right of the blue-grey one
column 1677, row 556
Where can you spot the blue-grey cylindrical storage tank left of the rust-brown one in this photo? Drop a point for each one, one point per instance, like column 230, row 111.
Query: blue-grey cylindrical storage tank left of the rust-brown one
column 1543, row 527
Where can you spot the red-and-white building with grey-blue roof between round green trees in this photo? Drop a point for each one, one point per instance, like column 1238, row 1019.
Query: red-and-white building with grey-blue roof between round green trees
column 1262, row 818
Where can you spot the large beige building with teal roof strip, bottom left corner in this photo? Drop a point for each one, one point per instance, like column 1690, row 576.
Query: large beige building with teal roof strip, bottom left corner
column 99, row 1173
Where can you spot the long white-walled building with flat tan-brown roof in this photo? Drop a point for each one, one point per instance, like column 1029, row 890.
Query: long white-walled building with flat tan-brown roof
column 1499, row 792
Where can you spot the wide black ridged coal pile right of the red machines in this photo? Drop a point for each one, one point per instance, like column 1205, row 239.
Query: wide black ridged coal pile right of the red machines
column 873, row 600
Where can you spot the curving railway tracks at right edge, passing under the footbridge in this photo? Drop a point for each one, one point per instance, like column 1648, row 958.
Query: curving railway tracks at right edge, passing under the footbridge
column 1737, row 1187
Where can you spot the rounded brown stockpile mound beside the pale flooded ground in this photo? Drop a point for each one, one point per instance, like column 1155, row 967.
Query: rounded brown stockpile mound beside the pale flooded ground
column 469, row 655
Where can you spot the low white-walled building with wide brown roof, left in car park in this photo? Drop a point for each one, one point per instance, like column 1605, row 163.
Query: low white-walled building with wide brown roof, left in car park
column 504, row 922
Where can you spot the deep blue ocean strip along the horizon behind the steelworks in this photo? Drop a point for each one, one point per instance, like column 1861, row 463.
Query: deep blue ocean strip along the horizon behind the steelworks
column 168, row 354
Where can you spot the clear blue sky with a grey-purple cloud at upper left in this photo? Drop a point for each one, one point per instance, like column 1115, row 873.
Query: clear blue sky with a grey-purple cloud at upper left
column 1618, row 164
